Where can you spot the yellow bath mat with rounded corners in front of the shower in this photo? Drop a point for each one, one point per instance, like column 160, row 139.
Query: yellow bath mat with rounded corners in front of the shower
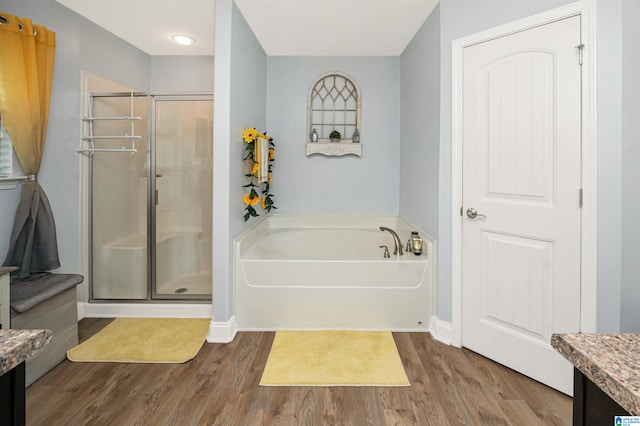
column 144, row 340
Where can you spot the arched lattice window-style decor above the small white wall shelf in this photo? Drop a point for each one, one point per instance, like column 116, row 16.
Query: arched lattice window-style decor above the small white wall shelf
column 334, row 104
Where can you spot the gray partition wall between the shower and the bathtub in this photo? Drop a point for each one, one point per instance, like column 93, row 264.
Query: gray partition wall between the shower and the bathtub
column 240, row 102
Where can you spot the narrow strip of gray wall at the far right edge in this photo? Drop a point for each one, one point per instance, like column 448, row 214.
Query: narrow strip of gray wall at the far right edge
column 630, row 314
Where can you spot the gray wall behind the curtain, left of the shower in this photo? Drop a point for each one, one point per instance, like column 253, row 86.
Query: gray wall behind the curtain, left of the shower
column 81, row 45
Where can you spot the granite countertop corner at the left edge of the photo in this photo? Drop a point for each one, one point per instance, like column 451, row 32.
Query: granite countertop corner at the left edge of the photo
column 18, row 345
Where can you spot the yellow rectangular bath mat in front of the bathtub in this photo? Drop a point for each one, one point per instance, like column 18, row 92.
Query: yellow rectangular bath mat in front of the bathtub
column 334, row 358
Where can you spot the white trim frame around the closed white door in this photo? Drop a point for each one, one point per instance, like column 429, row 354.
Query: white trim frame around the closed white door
column 586, row 9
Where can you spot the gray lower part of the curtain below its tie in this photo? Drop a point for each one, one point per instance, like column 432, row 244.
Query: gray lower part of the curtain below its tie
column 33, row 247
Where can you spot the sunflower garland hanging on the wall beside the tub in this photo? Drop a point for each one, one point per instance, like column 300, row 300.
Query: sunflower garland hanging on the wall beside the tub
column 258, row 159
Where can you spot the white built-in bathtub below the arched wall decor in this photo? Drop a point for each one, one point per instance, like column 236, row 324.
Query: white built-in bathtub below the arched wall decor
column 328, row 272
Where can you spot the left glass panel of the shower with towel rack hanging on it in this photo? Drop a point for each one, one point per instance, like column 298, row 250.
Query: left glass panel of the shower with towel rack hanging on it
column 118, row 196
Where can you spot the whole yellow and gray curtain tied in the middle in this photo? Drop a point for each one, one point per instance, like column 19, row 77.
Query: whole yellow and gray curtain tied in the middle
column 26, row 74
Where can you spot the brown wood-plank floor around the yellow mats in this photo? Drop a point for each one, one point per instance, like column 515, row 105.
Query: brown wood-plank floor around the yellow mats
column 449, row 386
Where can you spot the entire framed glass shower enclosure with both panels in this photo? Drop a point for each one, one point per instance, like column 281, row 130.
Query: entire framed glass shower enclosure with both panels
column 151, row 171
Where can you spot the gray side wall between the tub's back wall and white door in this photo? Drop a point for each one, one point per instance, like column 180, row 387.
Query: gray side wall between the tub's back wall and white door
column 420, row 126
